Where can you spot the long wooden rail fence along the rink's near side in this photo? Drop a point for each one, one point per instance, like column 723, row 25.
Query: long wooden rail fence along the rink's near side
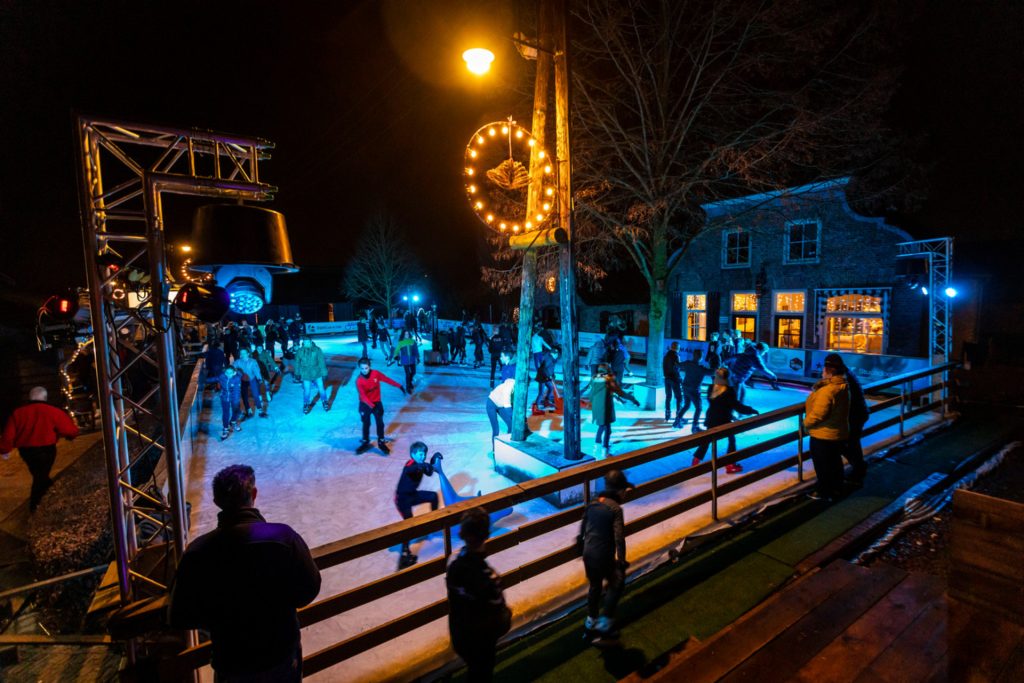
column 447, row 519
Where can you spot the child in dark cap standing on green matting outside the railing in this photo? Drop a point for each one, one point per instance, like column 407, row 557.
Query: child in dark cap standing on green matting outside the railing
column 603, row 541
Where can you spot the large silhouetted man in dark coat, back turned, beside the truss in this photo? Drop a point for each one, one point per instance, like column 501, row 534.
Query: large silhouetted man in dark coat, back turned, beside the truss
column 244, row 582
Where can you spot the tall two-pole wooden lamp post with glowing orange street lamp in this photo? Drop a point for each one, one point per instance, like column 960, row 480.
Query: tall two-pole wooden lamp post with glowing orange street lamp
column 552, row 47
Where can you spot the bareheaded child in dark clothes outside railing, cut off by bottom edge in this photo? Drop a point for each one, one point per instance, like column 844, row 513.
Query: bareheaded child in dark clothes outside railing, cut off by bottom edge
column 478, row 614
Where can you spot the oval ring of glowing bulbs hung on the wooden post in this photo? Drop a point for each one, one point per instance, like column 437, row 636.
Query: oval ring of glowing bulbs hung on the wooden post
column 497, row 174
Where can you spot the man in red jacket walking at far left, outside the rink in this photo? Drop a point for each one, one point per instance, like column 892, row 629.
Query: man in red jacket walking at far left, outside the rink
column 34, row 431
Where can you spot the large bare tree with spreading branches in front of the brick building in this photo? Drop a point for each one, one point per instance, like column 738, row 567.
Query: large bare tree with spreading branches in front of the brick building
column 678, row 103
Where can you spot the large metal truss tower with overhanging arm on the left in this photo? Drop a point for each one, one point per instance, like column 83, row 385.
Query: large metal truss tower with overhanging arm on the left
column 125, row 169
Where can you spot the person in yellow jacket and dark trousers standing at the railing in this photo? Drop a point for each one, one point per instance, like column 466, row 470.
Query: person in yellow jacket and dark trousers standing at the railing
column 828, row 422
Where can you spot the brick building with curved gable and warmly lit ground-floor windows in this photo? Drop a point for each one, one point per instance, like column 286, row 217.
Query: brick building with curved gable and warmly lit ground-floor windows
column 798, row 270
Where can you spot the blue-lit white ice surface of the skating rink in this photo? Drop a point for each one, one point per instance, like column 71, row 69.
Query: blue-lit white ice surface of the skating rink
column 310, row 477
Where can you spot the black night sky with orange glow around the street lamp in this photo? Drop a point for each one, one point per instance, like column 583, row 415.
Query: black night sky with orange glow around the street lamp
column 370, row 108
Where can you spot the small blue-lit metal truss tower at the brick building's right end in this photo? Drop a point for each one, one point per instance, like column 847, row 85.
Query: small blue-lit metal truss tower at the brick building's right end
column 940, row 253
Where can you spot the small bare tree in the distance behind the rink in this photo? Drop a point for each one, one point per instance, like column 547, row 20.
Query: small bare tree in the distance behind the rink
column 381, row 268
